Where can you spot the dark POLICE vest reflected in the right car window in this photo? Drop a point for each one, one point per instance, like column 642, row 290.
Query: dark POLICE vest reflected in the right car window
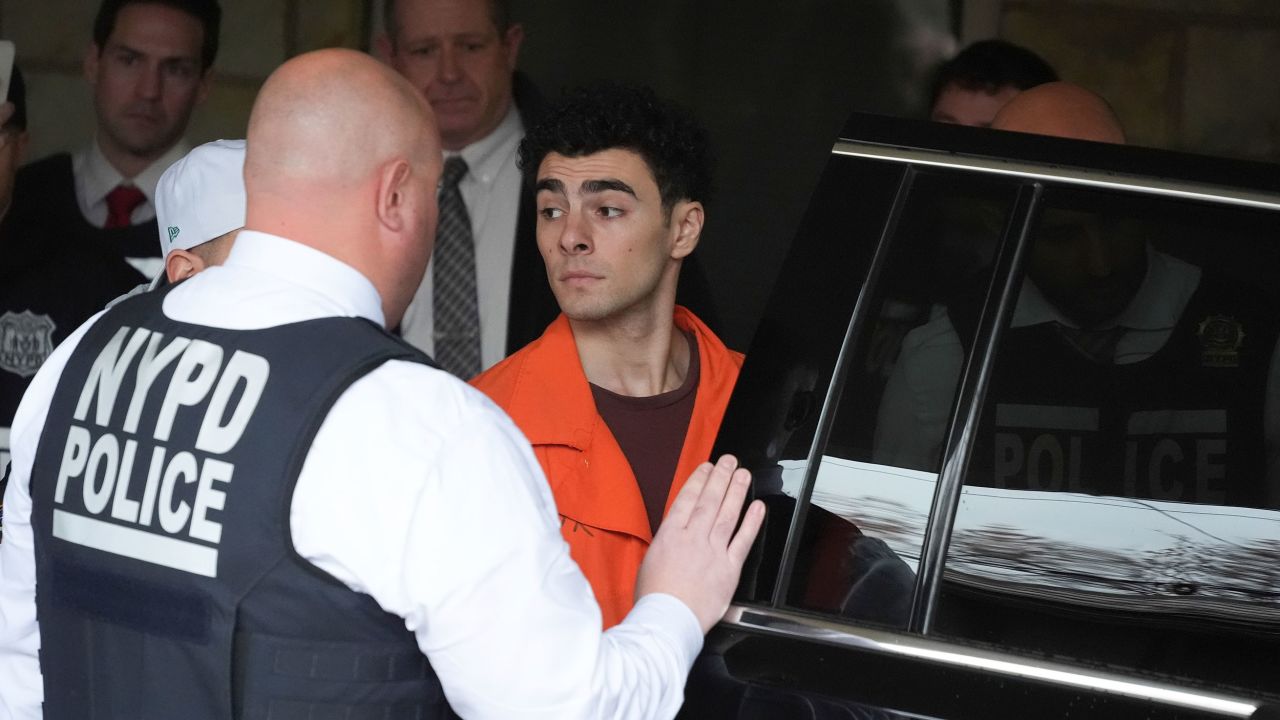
column 1185, row 425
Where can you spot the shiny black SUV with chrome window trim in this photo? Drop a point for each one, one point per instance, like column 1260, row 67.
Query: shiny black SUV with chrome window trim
column 1016, row 411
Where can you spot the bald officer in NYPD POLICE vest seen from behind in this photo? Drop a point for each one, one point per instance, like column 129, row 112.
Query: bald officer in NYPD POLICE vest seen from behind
column 312, row 544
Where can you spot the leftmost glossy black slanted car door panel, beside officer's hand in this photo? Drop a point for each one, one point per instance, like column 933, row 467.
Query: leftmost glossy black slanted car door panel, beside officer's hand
column 772, row 420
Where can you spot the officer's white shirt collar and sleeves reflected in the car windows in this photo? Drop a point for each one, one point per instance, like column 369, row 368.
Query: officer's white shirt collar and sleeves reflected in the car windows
column 917, row 404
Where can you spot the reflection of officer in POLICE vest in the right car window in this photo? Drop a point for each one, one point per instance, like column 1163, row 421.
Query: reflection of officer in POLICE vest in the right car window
column 1127, row 371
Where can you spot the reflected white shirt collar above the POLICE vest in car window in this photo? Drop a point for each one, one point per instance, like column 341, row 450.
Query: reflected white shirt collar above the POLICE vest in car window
column 1159, row 303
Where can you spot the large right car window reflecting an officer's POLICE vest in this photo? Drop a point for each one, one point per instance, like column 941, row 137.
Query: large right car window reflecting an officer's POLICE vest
column 1122, row 493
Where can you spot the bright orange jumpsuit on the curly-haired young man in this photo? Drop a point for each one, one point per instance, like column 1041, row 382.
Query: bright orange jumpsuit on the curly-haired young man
column 604, row 517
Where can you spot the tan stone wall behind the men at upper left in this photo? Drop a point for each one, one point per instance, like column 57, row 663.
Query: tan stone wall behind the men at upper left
column 257, row 37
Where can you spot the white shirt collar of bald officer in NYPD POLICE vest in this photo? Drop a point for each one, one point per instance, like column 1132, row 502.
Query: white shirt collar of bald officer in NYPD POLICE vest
column 321, row 274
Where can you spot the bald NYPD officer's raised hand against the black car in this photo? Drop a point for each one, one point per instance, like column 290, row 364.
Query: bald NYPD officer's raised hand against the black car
column 697, row 557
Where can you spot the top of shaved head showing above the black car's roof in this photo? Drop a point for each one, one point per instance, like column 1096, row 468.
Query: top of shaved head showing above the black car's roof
column 1062, row 110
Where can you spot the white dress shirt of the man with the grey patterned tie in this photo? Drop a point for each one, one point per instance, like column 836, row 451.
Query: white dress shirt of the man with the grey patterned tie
column 491, row 190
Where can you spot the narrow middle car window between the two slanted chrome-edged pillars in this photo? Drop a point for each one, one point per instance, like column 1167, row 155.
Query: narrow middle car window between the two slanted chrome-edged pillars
column 861, row 545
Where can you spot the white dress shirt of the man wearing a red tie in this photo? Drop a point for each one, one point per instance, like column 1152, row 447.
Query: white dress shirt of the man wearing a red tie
column 95, row 177
